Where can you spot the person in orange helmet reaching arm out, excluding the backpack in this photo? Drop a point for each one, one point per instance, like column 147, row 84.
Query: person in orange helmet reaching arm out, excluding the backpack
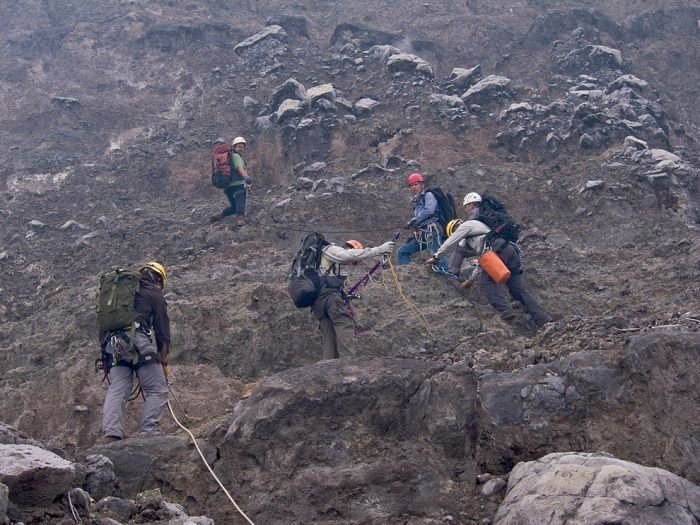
column 332, row 307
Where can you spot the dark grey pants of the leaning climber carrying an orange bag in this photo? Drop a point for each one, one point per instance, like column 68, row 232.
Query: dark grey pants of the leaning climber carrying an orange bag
column 516, row 286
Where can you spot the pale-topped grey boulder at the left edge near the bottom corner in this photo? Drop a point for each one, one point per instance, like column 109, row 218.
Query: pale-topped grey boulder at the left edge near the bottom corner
column 34, row 476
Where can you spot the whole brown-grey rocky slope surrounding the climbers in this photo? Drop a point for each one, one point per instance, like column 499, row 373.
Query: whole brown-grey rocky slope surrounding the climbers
column 580, row 118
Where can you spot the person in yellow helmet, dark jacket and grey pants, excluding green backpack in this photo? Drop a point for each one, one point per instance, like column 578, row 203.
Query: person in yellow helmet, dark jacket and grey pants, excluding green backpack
column 141, row 350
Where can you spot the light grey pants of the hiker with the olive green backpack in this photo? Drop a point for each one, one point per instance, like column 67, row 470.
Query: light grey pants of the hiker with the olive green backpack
column 155, row 391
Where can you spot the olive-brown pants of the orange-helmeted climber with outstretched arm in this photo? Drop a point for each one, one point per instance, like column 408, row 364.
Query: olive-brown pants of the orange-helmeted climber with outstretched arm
column 337, row 327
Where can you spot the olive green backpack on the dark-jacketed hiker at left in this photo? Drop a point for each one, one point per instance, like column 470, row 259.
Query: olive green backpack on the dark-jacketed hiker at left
column 115, row 300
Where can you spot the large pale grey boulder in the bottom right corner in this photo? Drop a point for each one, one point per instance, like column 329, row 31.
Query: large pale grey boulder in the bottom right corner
column 592, row 489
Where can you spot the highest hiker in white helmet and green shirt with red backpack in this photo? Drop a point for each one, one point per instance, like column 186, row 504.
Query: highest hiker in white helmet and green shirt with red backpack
column 237, row 179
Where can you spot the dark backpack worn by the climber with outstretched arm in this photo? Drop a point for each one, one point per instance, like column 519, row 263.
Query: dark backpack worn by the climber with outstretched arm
column 304, row 283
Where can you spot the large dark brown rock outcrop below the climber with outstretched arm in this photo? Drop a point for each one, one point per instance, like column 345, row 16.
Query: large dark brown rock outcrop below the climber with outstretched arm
column 386, row 431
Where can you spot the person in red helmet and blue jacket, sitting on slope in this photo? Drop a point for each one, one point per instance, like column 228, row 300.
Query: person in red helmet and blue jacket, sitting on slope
column 425, row 222
